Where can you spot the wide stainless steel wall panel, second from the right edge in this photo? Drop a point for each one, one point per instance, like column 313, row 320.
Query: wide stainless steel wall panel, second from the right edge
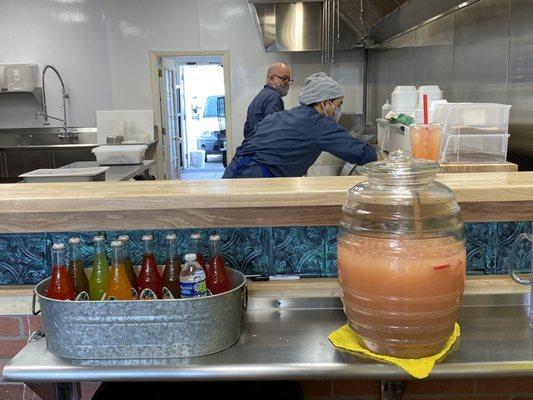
column 481, row 52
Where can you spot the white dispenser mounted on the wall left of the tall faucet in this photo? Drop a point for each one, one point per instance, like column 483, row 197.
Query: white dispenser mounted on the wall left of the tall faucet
column 19, row 78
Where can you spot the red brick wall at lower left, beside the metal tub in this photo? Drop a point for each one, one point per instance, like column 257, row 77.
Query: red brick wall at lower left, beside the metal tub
column 14, row 331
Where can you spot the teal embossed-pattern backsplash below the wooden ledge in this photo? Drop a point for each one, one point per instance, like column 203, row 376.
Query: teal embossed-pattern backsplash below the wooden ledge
column 25, row 258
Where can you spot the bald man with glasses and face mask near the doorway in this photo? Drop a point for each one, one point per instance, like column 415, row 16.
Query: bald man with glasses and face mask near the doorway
column 270, row 98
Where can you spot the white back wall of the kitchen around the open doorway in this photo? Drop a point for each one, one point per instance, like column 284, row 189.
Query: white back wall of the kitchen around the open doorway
column 102, row 49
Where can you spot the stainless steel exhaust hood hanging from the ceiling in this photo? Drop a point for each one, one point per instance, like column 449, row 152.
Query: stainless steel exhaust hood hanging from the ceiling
column 328, row 25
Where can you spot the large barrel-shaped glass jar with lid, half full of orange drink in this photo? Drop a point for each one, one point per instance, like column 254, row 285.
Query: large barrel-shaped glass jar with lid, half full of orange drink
column 401, row 258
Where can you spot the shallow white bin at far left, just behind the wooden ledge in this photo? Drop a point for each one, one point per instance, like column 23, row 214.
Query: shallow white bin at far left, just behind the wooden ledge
column 65, row 175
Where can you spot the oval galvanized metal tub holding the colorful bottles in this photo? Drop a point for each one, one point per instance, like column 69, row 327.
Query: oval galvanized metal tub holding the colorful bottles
column 143, row 329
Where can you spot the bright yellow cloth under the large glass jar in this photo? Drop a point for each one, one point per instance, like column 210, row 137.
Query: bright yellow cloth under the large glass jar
column 345, row 338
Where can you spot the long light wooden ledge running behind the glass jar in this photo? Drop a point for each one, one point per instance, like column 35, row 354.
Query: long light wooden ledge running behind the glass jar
column 52, row 207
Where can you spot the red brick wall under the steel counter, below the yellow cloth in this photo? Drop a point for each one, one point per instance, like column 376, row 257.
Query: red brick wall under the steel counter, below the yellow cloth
column 452, row 389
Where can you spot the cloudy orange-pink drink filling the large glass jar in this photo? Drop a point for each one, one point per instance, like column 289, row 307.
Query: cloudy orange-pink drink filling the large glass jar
column 401, row 296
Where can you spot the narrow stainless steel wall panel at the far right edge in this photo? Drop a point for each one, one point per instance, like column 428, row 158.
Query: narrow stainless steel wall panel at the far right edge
column 520, row 90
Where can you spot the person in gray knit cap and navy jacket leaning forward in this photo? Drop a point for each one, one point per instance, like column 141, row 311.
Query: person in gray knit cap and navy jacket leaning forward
column 289, row 142
